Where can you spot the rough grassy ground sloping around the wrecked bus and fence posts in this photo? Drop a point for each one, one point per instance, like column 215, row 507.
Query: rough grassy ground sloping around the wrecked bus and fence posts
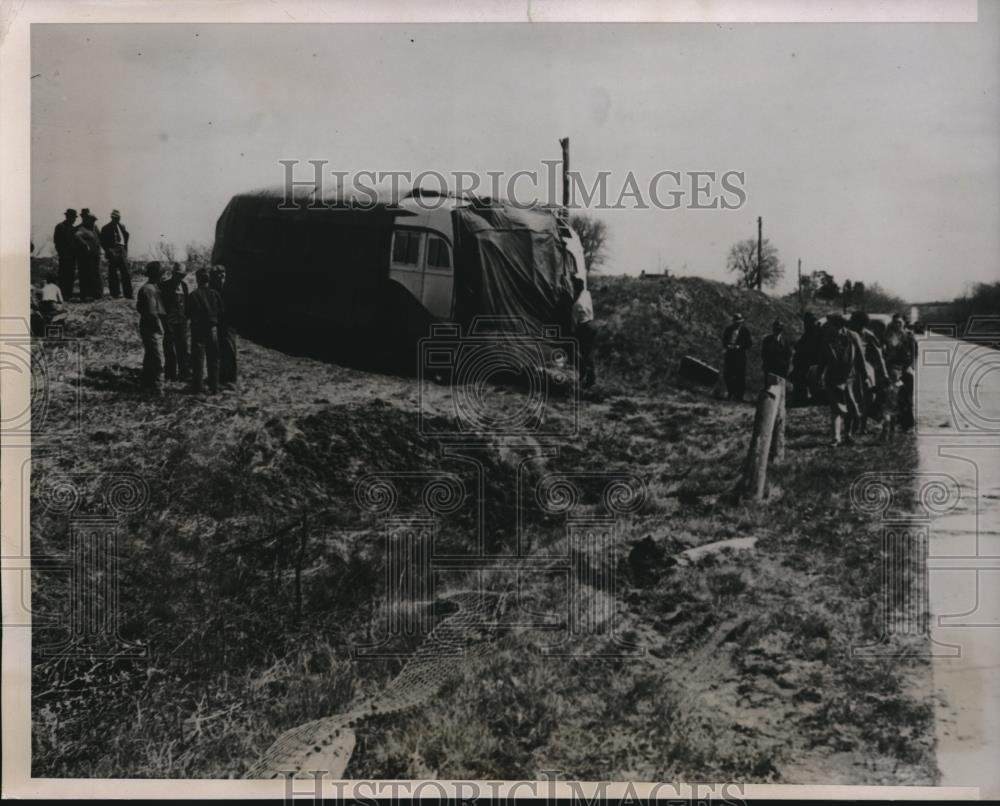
column 745, row 671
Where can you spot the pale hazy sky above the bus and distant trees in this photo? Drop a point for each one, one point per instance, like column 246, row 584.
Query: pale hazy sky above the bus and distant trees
column 871, row 151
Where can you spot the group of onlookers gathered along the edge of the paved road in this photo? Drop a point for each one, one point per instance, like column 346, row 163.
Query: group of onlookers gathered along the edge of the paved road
column 840, row 361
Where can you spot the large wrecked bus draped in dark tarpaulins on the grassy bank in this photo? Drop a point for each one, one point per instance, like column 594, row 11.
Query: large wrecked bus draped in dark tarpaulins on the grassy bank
column 374, row 277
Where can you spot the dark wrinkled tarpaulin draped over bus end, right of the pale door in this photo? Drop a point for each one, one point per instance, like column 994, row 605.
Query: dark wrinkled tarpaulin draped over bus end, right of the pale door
column 510, row 262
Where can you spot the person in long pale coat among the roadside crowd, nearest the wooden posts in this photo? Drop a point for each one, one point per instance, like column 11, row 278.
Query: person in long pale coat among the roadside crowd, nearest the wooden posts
column 845, row 367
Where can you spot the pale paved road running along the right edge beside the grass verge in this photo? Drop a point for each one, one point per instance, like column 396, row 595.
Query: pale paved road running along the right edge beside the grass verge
column 958, row 423
